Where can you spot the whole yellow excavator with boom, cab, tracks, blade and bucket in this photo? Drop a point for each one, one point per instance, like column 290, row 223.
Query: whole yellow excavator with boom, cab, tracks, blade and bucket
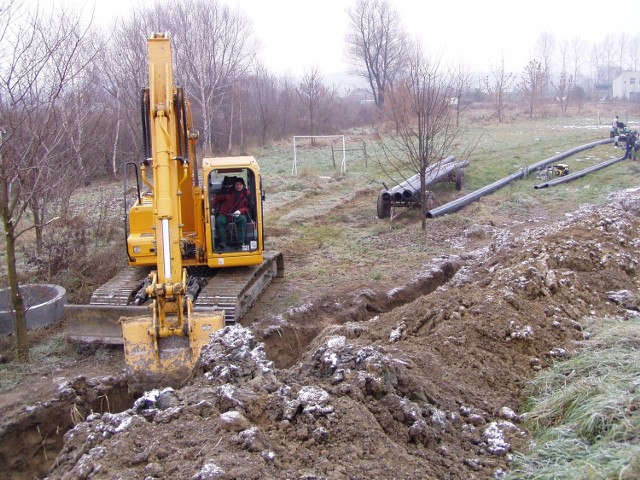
column 182, row 283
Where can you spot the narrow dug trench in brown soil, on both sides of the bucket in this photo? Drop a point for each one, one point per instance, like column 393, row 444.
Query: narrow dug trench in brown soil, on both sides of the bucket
column 30, row 440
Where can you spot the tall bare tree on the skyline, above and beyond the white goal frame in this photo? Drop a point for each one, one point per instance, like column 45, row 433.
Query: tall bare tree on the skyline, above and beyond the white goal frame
column 376, row 43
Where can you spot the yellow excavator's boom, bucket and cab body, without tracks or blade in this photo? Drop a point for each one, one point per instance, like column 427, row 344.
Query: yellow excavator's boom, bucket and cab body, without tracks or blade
column 172, row 227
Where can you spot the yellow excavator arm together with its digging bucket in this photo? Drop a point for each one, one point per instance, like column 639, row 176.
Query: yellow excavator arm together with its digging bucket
column 162, row 347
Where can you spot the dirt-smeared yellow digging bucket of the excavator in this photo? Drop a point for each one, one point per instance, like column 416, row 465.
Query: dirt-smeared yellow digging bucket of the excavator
column 154, row 362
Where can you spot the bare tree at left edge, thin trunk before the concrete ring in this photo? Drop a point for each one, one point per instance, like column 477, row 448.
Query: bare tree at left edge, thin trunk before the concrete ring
column 39, row 62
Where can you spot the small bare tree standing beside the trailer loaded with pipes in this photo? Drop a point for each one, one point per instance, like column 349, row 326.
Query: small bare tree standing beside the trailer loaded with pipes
column 423, row 122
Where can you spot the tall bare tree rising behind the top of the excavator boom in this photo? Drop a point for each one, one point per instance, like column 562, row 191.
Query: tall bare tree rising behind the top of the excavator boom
column 214, row 46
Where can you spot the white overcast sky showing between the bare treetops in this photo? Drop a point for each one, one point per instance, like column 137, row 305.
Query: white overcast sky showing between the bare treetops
column 297, row 35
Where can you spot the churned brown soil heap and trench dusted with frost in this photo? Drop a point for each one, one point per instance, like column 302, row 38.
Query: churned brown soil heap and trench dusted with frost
column 418, row 378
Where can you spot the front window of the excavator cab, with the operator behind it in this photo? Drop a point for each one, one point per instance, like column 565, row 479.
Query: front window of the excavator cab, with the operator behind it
column 233, row 232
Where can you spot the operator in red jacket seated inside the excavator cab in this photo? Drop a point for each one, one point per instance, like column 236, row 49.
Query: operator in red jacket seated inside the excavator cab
column 232, row 206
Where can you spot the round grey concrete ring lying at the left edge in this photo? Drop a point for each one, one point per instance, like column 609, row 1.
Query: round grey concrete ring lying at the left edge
column 44, row 304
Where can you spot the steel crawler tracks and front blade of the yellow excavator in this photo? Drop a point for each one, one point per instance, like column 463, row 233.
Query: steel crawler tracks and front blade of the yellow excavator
column 233, row 290
